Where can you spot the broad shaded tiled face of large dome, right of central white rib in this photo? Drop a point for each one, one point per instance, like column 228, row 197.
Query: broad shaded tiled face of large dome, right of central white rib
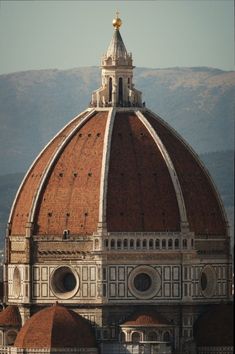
column 140, row 196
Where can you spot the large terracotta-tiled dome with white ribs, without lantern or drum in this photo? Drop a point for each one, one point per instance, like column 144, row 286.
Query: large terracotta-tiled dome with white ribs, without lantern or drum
column 125, row 169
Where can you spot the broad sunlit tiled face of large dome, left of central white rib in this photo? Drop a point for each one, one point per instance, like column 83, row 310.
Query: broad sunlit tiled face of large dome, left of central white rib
column 70, row 199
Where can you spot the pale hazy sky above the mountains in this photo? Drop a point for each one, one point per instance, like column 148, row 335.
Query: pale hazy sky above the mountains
column 160, row 34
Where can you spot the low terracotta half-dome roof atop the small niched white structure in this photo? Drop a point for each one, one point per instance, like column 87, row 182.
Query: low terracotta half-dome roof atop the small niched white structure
column 146, row 319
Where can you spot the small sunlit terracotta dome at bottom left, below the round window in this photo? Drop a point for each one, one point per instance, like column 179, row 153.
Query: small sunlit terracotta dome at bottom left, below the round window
column 55, row 327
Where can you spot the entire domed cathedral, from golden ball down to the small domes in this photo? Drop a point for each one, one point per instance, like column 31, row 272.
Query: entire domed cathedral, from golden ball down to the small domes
column 119, row 222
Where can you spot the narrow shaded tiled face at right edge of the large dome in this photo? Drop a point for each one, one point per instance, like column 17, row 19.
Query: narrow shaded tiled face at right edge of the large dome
column 203, row 208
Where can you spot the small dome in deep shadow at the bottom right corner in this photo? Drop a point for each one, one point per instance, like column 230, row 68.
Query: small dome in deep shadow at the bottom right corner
column 215, row 327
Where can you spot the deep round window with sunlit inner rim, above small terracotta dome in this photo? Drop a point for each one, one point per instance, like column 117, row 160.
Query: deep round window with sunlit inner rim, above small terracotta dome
column 64, row 282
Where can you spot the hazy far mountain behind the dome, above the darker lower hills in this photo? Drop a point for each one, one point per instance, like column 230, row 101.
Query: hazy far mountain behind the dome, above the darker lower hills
column 34, row 105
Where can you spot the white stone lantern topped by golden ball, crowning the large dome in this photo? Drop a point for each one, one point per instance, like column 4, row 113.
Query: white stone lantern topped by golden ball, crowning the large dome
column 117, row 89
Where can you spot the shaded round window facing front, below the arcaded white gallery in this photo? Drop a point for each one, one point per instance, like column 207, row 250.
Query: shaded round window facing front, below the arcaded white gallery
column 144, row 282
